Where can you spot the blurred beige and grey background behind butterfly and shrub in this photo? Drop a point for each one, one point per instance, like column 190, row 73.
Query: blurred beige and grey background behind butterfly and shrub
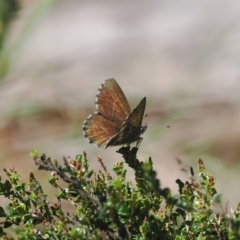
column 183, row 56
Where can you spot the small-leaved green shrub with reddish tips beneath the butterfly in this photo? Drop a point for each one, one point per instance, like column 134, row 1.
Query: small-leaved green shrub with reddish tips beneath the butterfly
column 106, row 206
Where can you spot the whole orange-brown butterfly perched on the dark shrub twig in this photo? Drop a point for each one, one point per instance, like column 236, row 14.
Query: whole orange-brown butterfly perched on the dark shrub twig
column 113, row 123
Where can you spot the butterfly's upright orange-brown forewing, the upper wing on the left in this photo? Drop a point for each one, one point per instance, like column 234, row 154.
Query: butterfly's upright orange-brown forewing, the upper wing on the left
column 112, row 103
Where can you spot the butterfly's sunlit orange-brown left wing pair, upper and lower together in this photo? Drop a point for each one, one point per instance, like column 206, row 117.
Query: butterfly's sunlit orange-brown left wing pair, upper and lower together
column 112, row 110
